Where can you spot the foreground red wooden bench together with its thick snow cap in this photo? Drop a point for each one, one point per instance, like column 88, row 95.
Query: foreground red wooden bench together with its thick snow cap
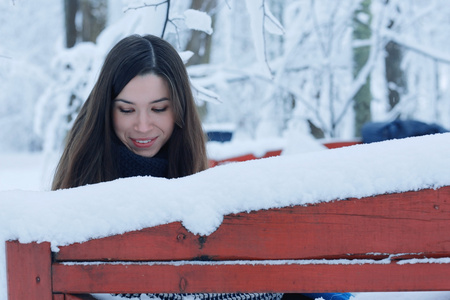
column 362, row 218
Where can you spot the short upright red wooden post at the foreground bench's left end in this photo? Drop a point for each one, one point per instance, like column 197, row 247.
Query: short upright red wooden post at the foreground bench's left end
column 28, row 271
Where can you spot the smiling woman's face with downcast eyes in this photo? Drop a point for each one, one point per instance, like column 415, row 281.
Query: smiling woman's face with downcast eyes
column 143, row 117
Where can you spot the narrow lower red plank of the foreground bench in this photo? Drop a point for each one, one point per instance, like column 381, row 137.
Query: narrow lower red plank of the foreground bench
column 137, row 278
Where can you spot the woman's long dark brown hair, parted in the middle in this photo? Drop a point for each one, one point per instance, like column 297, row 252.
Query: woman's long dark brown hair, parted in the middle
column 88, row 156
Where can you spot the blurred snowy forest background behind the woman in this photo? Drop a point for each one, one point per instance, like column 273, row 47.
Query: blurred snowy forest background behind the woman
column 263, row 68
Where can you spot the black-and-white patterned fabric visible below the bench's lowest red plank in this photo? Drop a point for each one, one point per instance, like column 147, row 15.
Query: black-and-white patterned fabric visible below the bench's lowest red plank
column 240, row 296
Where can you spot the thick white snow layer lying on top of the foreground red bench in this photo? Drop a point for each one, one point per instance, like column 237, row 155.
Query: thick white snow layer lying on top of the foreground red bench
column 200, row 201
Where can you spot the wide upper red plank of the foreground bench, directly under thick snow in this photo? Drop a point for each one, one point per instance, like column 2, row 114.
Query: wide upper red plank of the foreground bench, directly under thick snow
column 411, row 222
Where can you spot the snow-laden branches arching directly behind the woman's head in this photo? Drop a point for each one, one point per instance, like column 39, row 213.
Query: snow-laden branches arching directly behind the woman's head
column 74, row 70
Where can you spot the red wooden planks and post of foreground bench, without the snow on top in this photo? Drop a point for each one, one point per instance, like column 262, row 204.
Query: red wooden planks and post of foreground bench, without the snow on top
column 351, row 245
